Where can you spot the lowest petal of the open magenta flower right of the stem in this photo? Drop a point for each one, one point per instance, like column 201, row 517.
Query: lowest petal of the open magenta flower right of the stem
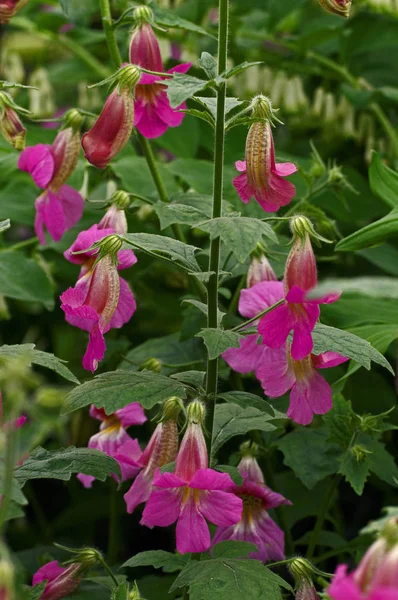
column 309, row 397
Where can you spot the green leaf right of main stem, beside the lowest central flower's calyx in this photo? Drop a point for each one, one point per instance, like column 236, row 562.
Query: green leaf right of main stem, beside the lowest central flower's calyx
column 231, row 420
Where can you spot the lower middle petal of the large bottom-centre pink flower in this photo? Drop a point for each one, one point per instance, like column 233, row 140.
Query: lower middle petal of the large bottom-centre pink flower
column 192, row 530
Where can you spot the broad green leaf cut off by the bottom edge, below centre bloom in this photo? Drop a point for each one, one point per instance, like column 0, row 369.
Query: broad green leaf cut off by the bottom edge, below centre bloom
column 230, row 579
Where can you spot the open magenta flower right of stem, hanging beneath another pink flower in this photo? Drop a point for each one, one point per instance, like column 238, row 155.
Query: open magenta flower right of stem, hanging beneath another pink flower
column 310, row 392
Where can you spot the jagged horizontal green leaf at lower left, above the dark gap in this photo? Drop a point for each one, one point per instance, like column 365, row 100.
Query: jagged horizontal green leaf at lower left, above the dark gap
column 61, row 464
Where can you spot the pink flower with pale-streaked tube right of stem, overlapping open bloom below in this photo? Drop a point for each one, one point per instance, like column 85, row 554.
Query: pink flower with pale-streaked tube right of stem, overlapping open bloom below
column 300, row 311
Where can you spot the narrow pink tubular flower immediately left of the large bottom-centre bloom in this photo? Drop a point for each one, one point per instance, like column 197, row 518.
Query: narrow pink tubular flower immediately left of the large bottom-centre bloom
column 161, row 450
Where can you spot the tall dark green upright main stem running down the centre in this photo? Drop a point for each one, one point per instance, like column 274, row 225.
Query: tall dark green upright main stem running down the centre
column 214, row 263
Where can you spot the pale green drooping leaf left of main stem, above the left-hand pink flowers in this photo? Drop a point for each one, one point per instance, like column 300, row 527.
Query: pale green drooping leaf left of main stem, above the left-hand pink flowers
column 182, row 255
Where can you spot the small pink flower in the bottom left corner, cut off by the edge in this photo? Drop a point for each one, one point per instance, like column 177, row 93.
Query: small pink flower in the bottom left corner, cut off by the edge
column 61, row 581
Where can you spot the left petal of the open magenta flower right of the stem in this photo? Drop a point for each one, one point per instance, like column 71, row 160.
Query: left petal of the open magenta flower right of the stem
column 275, row 375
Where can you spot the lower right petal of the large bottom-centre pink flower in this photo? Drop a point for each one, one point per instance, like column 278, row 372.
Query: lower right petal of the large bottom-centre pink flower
column 221, row 508
